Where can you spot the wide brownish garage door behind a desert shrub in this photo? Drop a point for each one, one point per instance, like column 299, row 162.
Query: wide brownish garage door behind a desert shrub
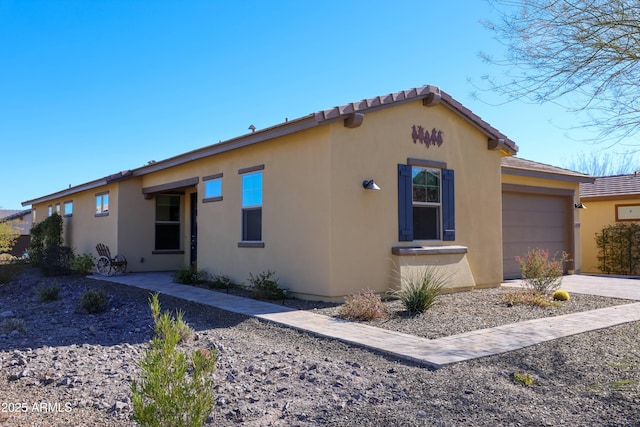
column 533, row 221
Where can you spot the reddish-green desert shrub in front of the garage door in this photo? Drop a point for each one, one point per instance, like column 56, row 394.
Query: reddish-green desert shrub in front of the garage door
column 540, row 273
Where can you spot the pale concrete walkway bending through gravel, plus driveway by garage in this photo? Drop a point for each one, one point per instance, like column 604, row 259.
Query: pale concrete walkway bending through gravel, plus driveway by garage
column 433, row 353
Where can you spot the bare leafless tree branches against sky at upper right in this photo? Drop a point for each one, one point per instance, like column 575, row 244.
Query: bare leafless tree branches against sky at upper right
column 588, row 49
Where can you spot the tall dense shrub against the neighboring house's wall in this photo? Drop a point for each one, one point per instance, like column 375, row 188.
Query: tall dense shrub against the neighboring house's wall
column 619, row 248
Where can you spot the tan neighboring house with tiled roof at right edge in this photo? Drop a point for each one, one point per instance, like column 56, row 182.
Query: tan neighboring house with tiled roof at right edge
column 609, row 199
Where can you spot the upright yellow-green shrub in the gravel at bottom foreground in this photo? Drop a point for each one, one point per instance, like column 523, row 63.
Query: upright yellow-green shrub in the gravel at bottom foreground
column 175, row 388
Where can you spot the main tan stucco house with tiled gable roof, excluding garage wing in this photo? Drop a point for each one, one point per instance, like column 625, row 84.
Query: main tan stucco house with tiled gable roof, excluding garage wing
column 291, row 198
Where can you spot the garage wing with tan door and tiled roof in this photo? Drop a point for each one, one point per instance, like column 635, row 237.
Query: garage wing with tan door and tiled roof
column 540, row 209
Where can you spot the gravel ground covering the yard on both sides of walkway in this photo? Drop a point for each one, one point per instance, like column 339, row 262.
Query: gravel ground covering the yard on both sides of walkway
column 72, row 368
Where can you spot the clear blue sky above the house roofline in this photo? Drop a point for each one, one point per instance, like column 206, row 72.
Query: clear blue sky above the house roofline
column 90, row 88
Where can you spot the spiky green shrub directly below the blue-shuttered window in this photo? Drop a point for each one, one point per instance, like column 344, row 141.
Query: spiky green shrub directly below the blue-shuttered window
column 421, row 291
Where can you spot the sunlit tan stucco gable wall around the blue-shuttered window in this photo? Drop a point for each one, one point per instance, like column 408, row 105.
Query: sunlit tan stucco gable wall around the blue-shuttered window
column 365, row 223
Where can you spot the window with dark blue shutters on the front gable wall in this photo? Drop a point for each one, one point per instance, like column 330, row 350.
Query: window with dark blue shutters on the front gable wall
column 426, row 208
